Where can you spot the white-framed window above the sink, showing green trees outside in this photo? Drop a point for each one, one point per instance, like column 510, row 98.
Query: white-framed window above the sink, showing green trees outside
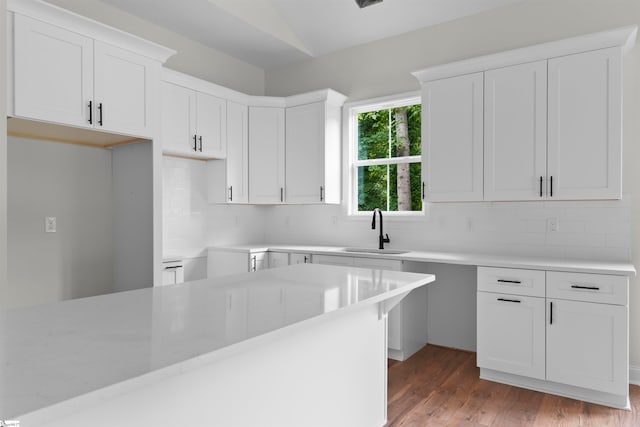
column 386, row 156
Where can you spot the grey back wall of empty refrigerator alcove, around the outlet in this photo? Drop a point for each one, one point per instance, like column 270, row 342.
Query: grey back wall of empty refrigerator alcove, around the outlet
column 73, row 184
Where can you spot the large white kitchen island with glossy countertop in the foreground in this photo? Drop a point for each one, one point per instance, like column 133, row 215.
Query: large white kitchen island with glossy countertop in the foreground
column 303, row 345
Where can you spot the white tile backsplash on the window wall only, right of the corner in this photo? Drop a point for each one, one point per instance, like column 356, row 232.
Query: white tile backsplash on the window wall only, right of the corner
column 593, row 230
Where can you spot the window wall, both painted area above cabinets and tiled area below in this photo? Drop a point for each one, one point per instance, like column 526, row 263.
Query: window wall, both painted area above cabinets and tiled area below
column 608, row 230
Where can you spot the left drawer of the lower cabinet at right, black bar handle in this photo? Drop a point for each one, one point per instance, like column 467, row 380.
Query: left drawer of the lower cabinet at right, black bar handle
column 511, row 281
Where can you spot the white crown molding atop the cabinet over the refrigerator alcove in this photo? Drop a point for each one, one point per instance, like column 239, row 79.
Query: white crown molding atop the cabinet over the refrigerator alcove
column 58, row 16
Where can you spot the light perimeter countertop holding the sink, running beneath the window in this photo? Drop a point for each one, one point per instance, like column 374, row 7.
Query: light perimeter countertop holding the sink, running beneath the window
column 461, row 258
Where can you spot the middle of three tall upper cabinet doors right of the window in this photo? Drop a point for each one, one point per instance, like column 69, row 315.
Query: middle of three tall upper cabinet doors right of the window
column 515, row 132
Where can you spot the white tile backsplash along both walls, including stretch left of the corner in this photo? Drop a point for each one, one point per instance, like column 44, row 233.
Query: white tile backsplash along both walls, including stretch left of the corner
column 586, row 229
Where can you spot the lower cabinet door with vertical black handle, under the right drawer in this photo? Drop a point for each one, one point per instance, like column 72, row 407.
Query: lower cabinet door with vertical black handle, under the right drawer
column 587, row 345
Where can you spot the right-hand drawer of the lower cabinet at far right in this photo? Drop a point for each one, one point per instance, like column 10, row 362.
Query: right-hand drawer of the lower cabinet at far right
column 600, row 288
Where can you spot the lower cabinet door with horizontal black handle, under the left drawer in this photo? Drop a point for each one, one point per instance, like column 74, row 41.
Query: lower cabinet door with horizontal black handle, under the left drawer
column 511, row 334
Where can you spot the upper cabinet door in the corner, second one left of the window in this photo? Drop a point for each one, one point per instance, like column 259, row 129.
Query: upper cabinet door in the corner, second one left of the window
column 266, row 155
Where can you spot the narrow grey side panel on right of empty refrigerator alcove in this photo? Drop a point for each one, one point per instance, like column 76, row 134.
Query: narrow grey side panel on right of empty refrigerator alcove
column 132, row 216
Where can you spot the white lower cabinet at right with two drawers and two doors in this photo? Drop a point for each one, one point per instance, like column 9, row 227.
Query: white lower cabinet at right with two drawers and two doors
column 570, row 338
